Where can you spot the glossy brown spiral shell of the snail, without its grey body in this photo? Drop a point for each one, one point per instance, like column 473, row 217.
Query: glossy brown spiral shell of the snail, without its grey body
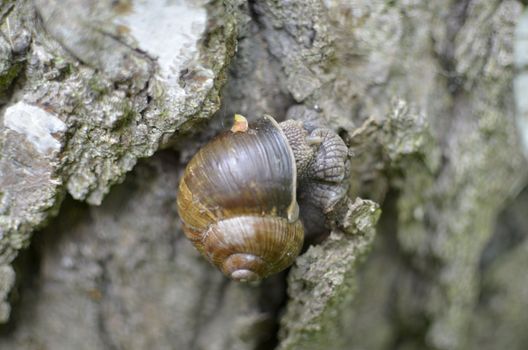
column 237, row 201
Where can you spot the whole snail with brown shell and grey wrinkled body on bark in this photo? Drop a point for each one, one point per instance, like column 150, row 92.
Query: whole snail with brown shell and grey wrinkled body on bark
column 237, row 198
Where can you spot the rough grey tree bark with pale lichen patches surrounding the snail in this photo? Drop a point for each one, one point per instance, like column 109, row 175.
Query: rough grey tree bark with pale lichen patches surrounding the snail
column 428, row 96
